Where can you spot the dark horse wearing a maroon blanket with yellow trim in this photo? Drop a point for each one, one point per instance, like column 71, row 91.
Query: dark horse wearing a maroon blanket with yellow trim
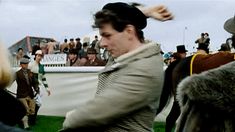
column 179, row 70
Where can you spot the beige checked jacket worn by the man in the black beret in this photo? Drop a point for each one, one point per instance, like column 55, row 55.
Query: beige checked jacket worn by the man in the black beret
column 127, row 94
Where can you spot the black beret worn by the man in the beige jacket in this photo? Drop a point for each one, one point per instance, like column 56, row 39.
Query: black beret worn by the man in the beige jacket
column 128, row 13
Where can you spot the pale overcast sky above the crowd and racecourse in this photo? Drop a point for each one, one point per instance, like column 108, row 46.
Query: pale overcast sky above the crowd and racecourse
column 73, row 18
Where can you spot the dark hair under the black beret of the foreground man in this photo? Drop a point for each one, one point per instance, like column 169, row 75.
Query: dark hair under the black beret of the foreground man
column 108, row 17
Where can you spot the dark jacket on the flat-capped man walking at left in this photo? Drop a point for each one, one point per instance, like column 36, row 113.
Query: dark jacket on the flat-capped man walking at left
column 23, row 88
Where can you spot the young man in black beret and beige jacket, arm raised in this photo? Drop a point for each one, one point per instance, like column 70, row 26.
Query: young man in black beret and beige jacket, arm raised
column 130, row 84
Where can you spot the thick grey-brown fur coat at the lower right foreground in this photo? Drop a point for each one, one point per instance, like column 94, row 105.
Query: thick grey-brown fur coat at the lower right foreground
column 207, row 101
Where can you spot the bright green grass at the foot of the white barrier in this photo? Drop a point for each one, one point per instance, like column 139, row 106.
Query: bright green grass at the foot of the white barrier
column 54, row 123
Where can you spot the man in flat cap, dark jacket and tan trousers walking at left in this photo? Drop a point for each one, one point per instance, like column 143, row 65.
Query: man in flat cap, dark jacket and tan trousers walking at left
column 25, row 84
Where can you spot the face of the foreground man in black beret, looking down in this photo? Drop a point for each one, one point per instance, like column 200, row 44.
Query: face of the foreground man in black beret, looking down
column 115, row 42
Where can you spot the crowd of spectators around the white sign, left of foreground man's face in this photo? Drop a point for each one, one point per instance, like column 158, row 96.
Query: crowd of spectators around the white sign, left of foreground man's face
column 76, row 51
